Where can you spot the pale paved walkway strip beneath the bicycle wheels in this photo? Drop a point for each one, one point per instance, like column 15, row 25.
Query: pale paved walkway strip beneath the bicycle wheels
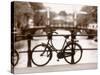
column 56, row 68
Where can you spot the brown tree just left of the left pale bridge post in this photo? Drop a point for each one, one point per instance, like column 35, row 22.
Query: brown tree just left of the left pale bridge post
column 39, row 17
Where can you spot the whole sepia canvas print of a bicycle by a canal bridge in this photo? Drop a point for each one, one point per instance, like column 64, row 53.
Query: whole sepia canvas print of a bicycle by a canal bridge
column 48, row 37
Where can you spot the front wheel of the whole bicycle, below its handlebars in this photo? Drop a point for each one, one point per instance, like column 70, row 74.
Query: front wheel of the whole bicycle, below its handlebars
column 41, row 55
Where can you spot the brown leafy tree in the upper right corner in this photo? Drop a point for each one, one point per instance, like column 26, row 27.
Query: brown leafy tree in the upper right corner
column 91, row 16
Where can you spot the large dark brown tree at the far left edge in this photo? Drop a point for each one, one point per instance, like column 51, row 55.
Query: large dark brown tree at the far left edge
column 22, row 12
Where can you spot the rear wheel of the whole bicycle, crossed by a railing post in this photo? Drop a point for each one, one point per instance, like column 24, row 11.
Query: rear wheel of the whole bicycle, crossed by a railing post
column 69, row 56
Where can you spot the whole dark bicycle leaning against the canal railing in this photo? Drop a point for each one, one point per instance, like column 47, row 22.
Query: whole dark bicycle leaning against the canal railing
column 42, row 53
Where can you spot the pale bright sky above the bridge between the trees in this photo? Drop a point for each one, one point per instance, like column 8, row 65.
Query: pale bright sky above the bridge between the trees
column 63, row 7
